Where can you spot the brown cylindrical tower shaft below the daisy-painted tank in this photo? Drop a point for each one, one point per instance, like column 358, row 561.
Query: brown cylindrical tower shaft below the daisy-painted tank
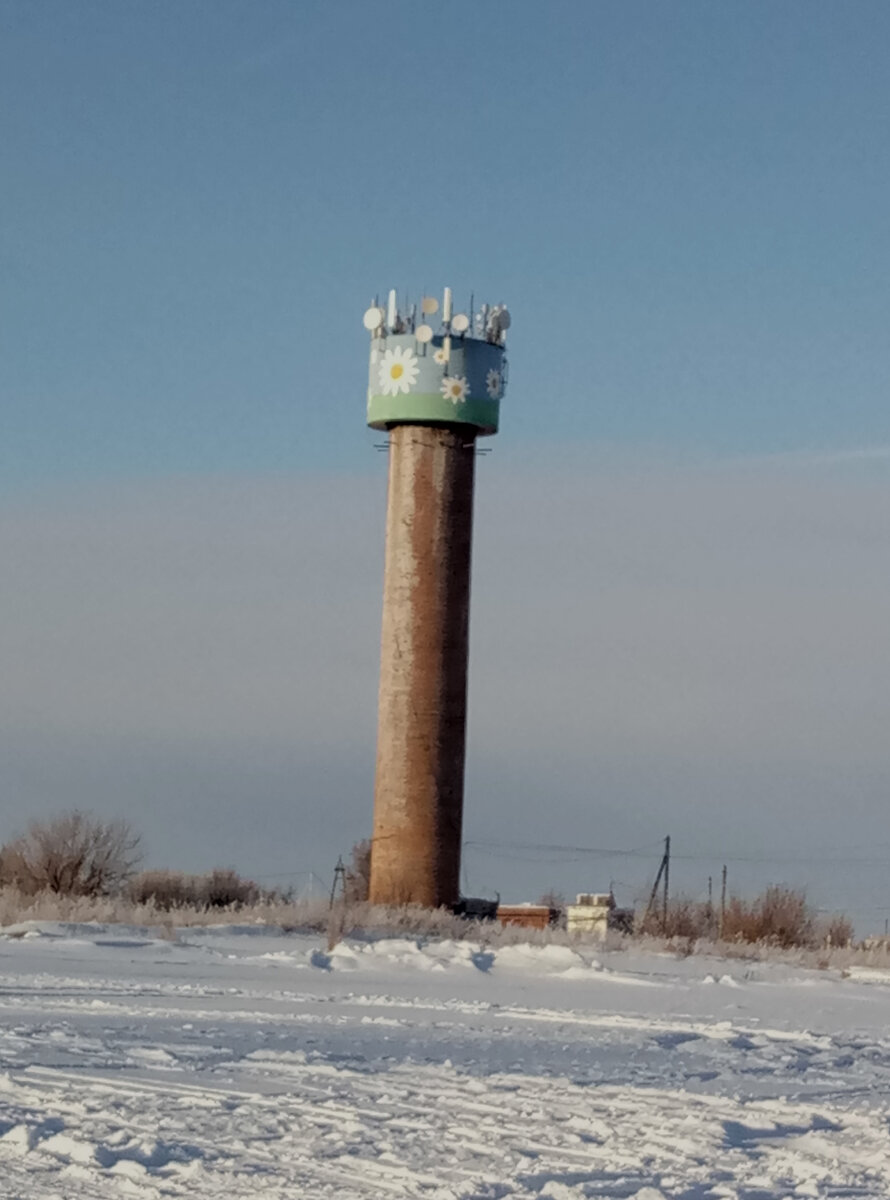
column 423, row 701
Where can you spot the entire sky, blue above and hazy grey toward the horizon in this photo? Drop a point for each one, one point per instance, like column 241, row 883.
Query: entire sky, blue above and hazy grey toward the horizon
column 679, row 590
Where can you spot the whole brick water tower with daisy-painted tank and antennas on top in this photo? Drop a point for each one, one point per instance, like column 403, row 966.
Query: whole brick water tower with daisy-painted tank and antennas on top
column 437, row 379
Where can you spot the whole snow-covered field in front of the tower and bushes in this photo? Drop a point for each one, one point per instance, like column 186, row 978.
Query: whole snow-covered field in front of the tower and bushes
column 245, row 1063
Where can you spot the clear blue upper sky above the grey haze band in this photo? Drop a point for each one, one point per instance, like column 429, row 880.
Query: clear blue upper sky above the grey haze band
column 684, row 205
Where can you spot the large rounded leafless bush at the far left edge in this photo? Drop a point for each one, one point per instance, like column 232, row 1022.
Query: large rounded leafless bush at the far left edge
column 71, row 855
